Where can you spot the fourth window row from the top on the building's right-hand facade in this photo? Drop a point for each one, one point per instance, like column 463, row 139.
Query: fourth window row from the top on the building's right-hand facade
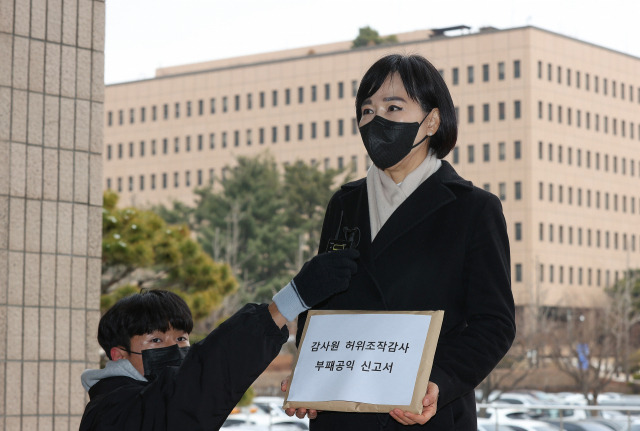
column 605, row 200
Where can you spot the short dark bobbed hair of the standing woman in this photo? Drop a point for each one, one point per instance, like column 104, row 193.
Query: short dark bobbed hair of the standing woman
column 424, row 85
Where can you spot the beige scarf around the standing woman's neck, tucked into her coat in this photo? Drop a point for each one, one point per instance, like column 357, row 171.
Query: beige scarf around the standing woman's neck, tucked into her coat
column 385, row 195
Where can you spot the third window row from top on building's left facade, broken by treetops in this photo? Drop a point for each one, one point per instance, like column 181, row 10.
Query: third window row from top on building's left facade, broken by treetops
column 186, row 179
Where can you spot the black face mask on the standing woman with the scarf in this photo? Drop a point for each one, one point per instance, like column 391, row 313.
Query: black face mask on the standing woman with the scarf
column 388, row 142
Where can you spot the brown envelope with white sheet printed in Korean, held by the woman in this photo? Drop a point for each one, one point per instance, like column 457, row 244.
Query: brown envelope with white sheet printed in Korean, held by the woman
column 364, row 361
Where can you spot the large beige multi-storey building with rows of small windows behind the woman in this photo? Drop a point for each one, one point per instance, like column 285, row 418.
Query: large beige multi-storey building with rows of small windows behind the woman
column 548, row 123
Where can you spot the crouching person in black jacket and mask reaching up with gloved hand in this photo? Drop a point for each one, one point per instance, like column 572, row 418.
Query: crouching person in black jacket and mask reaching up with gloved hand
column 156, row 381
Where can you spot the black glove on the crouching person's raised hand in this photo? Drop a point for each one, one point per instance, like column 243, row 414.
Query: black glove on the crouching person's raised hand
column 325, row 275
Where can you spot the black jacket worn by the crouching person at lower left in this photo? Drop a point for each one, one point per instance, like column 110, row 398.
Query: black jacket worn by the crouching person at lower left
column 198, row 395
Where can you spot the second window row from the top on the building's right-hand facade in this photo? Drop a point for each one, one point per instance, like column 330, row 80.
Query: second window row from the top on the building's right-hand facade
column 587, row 120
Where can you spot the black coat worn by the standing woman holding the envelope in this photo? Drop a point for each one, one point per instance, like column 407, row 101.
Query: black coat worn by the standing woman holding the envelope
column 444, row 248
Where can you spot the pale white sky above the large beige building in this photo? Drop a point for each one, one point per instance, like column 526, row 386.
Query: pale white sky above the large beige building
column 142, row 35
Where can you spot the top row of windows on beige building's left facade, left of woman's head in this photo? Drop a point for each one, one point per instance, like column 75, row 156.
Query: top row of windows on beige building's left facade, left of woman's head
column 202, row 106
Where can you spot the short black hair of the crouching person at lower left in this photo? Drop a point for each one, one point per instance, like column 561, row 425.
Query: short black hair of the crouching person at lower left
column 142, row 313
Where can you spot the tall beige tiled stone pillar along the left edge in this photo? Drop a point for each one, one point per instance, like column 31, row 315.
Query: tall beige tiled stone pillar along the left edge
column 51, row 120
